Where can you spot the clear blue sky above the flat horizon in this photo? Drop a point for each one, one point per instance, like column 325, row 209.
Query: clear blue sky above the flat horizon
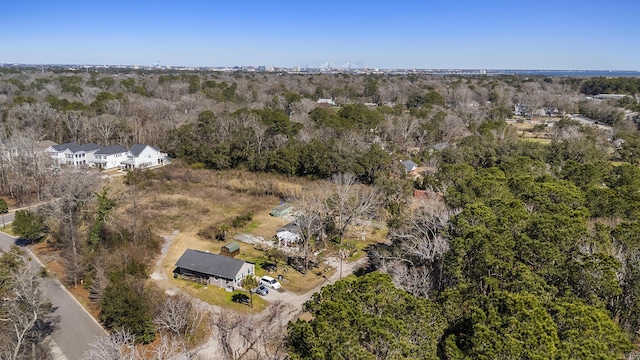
column 444, row 34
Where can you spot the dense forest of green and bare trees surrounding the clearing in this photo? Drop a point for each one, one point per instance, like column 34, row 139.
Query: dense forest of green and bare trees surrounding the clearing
column 522, row 249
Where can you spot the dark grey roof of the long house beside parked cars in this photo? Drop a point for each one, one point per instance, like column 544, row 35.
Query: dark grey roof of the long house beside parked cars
column 210, row 264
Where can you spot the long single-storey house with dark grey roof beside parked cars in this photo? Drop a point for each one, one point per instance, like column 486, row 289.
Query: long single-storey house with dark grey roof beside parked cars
column 219, row 270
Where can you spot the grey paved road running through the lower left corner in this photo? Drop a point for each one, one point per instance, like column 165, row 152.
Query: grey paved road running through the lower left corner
column 76, row 328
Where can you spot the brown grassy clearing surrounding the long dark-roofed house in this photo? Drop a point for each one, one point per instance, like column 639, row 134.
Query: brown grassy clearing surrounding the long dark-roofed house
column 184, row 201
